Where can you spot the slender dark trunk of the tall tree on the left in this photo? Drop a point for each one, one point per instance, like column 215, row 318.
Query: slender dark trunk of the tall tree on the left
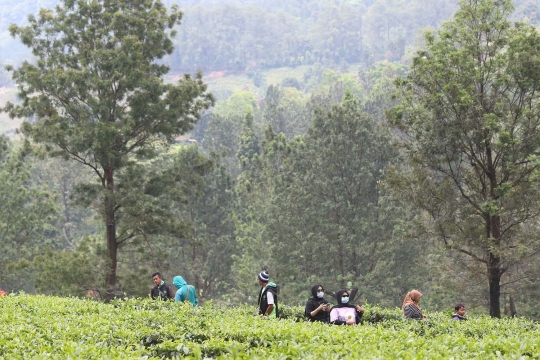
column 110, row 223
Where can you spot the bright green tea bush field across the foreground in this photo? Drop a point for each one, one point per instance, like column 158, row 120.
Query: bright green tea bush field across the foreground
column 62, row 328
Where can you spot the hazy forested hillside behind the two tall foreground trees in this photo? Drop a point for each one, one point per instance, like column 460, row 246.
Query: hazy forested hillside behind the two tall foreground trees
column 286, row 172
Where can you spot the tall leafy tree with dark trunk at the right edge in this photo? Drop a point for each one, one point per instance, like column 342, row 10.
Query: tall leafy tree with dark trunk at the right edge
column 468, row 133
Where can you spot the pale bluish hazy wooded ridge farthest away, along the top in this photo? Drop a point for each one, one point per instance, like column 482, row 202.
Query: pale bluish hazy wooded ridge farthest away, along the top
column 239, row 35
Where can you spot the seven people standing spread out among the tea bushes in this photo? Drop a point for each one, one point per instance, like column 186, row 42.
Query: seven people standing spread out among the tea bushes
column 317, row 307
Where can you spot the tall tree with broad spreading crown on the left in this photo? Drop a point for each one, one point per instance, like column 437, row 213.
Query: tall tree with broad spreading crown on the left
column 98, row 95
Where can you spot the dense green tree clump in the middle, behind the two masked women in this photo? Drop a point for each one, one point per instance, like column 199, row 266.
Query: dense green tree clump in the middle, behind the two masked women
column 316, row 213
